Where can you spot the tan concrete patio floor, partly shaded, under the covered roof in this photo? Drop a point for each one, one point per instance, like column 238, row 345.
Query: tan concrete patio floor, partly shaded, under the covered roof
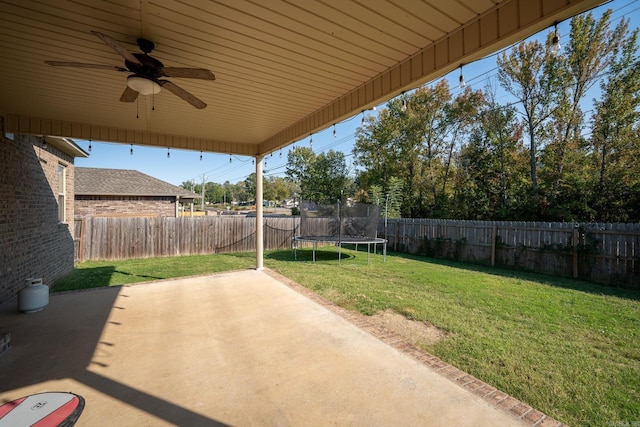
column 241, row 349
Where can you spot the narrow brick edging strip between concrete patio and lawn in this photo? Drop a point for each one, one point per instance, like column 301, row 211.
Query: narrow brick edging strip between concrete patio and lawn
column 488, row 393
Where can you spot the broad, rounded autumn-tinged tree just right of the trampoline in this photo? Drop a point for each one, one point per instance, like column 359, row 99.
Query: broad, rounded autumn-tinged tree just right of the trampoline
column 416, row 139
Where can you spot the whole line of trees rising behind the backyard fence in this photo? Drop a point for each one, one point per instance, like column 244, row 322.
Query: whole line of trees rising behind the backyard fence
column 565, row 147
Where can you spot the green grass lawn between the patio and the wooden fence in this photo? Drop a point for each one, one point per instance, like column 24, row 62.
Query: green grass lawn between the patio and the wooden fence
column 570, row 349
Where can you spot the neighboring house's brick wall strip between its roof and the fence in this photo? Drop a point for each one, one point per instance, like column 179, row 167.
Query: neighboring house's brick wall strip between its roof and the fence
column 125, row 206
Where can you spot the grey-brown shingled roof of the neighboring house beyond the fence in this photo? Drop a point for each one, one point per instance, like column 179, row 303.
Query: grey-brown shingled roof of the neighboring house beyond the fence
column 124, row 182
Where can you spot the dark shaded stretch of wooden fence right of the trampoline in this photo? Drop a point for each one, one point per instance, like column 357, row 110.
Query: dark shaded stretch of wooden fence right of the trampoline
column 603, row 253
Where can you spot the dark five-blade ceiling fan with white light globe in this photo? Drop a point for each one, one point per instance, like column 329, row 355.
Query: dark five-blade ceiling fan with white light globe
column 147, row 72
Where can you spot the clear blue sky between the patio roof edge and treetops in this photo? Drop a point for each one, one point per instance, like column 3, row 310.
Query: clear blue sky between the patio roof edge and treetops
column 184, row 165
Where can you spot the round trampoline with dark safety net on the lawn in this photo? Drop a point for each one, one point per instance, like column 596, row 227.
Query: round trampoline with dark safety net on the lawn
column 351, row 224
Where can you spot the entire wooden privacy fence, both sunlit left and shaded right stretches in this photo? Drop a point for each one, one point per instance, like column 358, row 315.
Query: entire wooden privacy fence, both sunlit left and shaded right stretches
column 604, row 253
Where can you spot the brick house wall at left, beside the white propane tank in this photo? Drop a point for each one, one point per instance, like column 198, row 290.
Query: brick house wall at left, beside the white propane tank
column 33, row 242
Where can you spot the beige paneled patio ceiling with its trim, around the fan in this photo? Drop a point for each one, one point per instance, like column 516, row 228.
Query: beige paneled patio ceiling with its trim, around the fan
column 284, row 69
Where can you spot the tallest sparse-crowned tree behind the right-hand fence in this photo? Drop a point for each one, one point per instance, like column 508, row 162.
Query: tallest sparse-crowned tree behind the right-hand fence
column 590, row 51
